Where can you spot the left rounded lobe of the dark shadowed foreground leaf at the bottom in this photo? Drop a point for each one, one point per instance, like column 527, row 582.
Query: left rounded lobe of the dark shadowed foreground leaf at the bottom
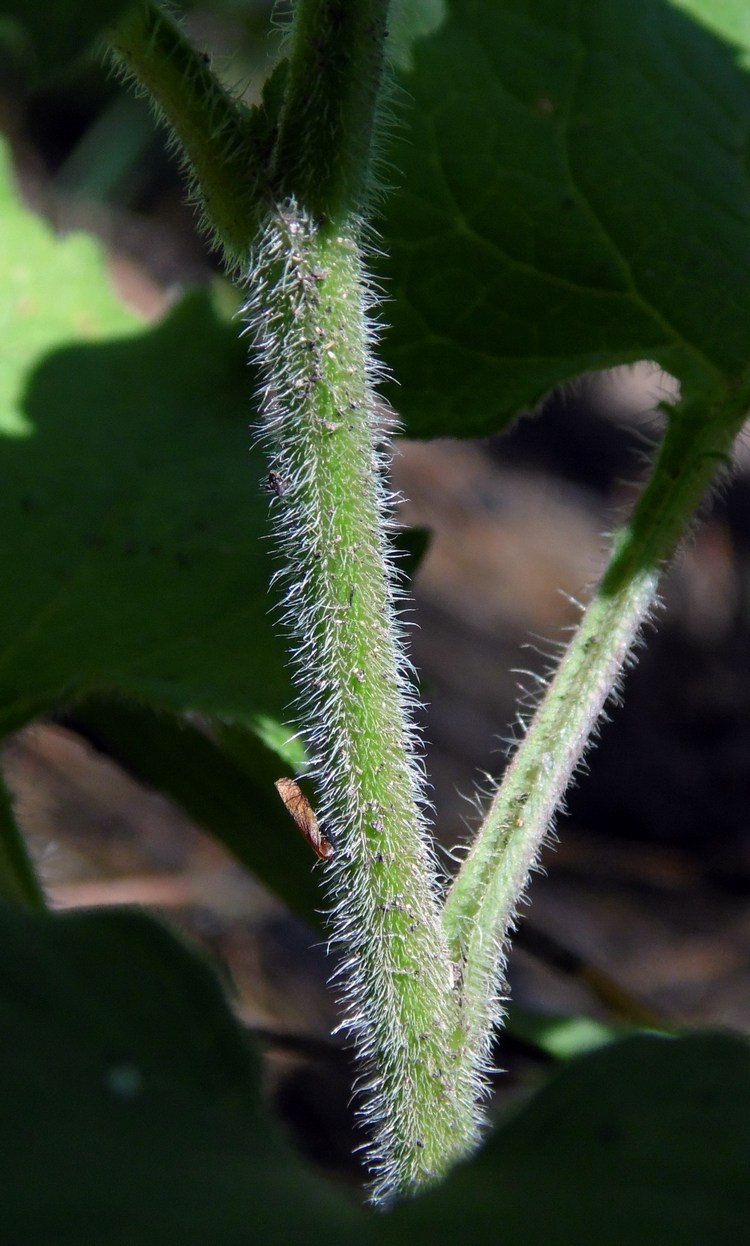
column 131, row 1103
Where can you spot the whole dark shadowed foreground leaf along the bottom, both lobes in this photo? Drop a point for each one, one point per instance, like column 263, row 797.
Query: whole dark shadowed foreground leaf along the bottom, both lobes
column 131, row 1115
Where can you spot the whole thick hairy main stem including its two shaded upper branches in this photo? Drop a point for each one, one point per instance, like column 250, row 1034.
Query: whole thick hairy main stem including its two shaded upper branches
column 308, row 313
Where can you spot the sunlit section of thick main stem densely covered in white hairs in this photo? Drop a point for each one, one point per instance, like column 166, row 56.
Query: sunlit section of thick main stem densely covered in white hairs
column 323, row 427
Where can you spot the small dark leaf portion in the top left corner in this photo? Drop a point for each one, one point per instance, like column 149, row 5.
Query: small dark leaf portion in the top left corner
column 58, row 33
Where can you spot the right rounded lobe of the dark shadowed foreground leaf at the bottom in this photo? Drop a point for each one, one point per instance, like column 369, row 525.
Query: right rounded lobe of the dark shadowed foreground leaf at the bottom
column 642, row 1142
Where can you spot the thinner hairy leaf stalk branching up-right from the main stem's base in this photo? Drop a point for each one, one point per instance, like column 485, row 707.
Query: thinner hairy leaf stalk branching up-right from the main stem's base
column 482, row 906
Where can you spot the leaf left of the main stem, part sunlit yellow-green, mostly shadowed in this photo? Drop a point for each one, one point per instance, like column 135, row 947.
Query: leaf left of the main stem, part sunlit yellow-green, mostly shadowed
column 131, row 509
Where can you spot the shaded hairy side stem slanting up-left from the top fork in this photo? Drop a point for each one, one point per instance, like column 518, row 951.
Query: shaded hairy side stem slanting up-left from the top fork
column 224, row 146
